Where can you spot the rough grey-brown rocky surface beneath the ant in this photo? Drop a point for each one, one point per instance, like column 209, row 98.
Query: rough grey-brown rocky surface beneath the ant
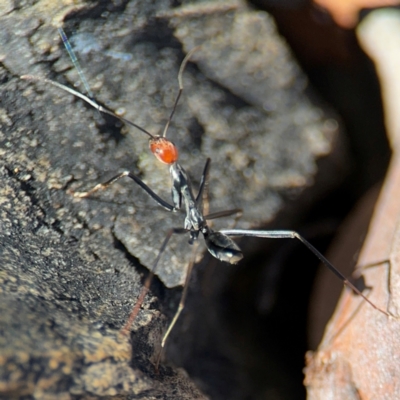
column 71, row 269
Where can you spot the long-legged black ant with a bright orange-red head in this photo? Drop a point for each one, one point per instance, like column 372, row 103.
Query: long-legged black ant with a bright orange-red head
column 218, row 243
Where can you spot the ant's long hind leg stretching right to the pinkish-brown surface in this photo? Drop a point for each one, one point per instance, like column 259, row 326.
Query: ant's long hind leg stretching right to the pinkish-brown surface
column 295, row 235
